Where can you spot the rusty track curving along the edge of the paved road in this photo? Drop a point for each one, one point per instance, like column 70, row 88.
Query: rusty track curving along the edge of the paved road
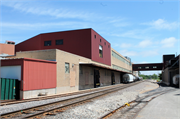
column 130, row 110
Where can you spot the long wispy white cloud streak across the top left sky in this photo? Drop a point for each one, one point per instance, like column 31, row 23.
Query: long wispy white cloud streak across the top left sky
column 39, row 9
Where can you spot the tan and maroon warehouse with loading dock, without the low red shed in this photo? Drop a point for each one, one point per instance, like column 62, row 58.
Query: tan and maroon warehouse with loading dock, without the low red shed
column 84, row 59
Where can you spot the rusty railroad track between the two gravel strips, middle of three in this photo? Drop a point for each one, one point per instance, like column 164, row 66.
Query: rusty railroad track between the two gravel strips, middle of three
column 59, row 106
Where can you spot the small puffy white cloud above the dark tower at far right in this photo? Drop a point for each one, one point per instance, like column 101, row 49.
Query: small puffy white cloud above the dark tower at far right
column 168, row 42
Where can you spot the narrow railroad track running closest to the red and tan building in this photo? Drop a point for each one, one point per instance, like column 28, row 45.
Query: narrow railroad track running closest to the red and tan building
column 9, row 102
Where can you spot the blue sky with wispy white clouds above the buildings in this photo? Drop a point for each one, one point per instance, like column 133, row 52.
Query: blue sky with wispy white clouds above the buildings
column 143, row 30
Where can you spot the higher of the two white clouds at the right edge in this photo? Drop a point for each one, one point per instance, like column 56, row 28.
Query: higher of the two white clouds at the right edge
column 162, row 24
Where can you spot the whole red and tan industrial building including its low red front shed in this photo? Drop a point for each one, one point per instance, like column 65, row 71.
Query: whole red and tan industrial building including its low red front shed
column 67, row 61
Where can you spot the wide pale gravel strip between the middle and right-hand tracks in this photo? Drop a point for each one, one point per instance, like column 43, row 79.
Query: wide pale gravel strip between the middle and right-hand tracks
column 97, row 108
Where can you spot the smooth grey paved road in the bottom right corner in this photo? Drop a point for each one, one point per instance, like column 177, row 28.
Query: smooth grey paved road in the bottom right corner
column 166, row 106
